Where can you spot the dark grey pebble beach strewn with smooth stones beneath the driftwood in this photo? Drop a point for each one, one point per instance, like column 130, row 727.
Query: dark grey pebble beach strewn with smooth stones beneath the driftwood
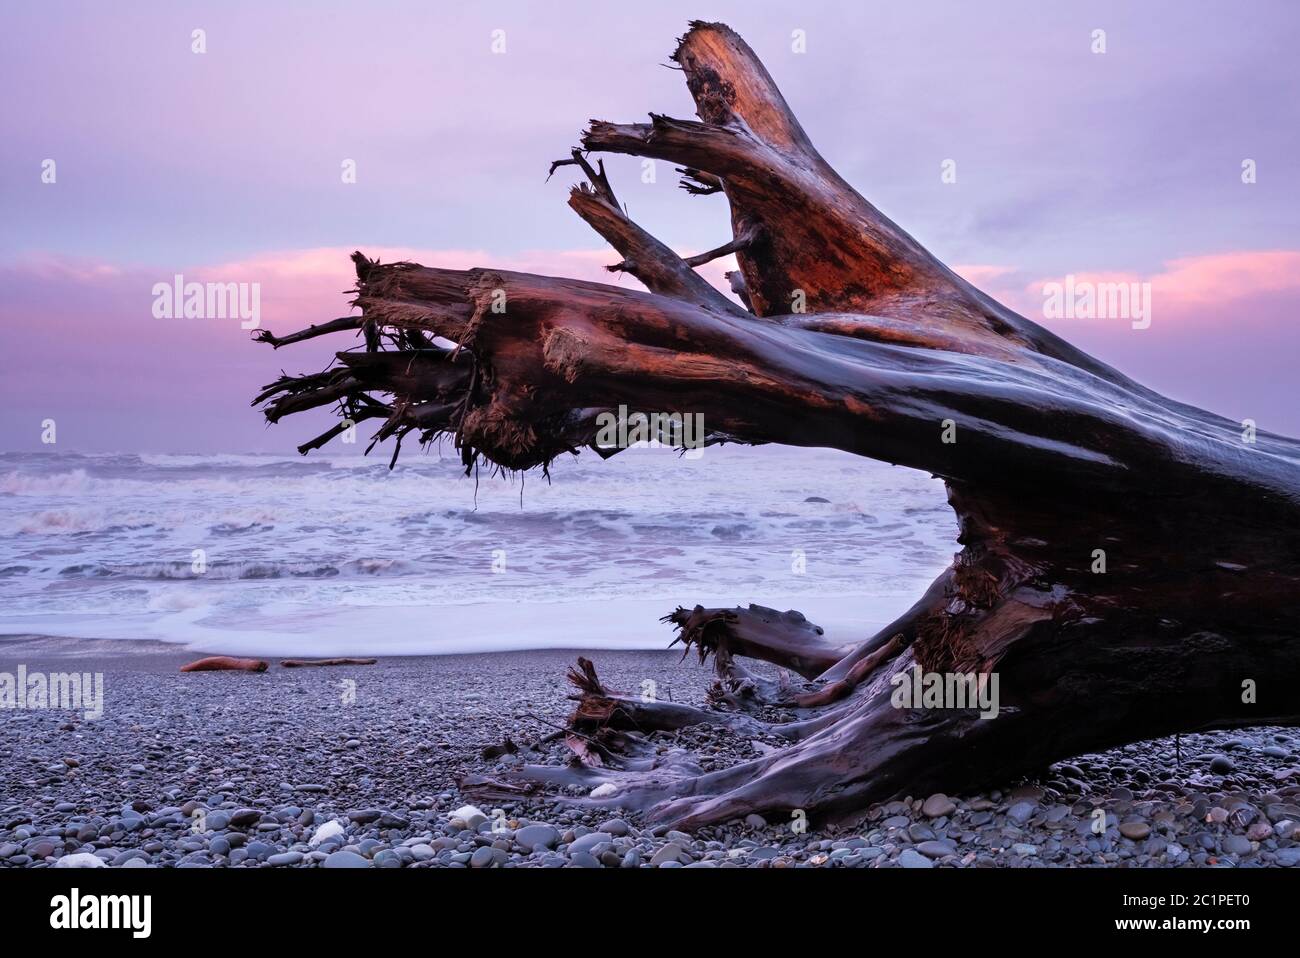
column 358, row 768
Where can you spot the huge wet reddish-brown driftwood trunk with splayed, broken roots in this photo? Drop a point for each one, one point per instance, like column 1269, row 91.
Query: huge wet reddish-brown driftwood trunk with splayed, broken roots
column 1129, row 563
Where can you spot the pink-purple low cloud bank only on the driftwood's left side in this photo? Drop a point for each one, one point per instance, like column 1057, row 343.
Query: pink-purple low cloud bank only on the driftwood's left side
column 115, row 378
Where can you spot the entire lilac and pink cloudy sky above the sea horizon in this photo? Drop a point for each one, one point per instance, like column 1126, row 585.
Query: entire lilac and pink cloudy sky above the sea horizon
column 227, row 166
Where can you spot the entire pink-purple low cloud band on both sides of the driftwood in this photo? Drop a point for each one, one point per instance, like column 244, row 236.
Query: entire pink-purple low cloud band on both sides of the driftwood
column 116, row 378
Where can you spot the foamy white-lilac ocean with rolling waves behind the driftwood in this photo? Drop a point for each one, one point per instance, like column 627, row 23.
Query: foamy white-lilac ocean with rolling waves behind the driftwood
column 336, row 556
